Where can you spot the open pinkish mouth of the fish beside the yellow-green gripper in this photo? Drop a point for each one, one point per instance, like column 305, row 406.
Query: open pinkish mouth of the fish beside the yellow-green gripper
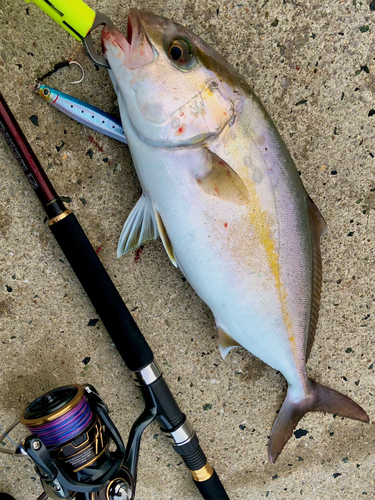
column 135, row 50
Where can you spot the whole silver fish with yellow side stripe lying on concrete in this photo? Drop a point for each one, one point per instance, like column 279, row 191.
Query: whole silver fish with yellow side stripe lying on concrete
column 223, row 193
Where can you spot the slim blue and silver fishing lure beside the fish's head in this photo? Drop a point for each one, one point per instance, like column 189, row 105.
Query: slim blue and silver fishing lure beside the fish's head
column 84, row 113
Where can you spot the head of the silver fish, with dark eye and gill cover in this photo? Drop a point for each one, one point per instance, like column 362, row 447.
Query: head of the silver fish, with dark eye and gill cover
column 169, row 82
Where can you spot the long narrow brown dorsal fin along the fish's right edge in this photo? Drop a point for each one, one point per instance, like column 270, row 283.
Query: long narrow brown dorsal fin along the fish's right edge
column 318, row 227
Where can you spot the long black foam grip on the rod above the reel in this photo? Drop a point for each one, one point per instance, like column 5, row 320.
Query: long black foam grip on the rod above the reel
column 103, row 294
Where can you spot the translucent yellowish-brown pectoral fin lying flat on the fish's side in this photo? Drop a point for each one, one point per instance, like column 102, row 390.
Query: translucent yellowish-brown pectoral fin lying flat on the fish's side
column 223, row 182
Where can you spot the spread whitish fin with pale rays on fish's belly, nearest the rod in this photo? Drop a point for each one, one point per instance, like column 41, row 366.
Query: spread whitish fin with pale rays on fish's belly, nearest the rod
column 140, row 226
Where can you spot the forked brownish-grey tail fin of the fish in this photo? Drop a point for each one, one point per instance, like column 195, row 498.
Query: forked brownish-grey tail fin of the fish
column 318, row 398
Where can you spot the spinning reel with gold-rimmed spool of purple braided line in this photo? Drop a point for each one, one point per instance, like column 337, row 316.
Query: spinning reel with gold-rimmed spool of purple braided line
column 71, row 435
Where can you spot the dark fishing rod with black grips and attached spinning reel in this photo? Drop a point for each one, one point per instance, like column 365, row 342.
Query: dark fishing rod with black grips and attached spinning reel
column 60, row 475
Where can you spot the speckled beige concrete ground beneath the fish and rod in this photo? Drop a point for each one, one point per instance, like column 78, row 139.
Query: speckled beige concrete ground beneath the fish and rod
column 312, row 65
